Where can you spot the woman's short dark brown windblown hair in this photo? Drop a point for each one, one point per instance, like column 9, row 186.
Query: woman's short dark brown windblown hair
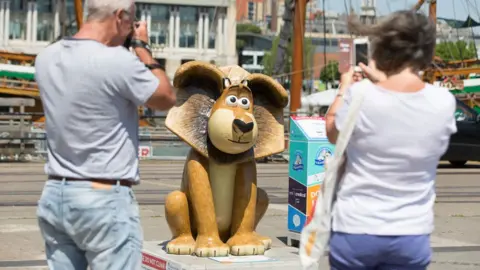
column 404, row 39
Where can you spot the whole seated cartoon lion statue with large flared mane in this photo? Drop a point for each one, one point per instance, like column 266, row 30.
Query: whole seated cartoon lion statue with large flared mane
column 230, row 118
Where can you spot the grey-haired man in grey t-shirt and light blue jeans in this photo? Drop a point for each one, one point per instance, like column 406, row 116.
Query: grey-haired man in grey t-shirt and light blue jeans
column 91, row 86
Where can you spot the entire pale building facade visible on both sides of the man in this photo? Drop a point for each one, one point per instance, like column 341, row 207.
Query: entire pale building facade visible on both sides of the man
column 180, row 30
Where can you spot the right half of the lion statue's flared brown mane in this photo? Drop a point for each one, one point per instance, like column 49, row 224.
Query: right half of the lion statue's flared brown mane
column 269, row 99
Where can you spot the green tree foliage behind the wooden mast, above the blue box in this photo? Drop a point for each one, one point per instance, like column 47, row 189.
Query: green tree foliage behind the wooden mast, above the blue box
column 270, row 57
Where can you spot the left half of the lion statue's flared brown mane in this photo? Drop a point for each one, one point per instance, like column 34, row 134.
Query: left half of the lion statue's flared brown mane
column 198, row 85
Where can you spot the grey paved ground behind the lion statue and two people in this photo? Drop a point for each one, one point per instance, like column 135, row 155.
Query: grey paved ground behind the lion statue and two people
column 456, row 239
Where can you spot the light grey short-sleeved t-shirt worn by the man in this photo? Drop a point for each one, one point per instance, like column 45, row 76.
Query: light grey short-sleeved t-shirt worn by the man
column 90, row 93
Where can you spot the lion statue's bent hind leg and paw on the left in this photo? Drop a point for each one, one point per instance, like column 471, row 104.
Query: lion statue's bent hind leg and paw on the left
column 178, row 219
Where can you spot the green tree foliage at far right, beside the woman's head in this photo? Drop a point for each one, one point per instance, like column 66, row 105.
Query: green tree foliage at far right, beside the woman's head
column 454, row 51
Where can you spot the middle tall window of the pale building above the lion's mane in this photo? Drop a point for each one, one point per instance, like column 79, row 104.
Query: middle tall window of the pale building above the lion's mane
column 188, row 26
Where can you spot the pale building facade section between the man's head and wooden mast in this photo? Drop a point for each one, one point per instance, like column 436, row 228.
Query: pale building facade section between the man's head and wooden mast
column 185, row 30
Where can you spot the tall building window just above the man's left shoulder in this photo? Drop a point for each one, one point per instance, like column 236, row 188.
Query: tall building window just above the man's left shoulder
column 45, row 20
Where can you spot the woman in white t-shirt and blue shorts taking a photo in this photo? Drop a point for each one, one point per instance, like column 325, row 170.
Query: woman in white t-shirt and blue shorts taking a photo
column 383, row 214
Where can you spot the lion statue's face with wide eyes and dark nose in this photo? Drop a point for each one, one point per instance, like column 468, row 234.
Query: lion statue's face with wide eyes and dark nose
column 232, row 128
